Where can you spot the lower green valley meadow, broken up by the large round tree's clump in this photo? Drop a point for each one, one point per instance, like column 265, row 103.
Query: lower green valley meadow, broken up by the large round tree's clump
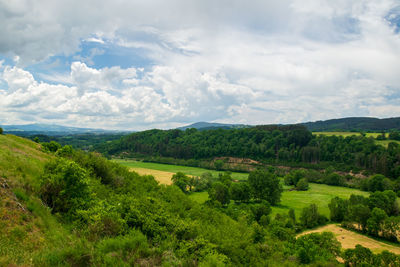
column 319, row 194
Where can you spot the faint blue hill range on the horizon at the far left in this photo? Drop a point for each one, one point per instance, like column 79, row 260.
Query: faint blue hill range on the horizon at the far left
column 50, row 129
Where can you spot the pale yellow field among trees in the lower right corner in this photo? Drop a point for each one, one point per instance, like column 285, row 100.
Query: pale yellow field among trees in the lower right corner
column 350, row 239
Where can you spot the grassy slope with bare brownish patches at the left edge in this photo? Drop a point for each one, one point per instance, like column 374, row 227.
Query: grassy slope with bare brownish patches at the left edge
column 27, row 229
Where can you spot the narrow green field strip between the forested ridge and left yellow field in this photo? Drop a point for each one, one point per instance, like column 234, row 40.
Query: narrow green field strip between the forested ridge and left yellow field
column 176, row 168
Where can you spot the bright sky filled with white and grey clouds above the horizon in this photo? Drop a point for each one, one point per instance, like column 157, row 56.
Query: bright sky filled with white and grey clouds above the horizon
column 142, row 64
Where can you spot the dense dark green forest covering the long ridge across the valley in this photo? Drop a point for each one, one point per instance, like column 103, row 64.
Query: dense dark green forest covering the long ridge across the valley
column 287, row 145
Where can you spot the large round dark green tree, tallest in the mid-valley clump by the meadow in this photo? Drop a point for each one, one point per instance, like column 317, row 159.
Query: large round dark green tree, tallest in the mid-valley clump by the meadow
column 265, row 185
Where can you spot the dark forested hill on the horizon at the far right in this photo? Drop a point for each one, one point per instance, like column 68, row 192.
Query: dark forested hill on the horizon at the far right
column 354, row 124
